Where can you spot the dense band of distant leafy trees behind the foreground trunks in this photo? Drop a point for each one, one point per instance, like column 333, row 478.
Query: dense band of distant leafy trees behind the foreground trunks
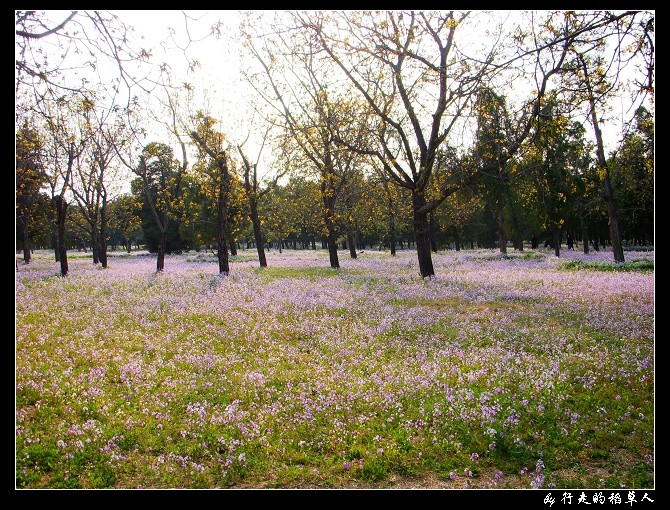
column 550, row 192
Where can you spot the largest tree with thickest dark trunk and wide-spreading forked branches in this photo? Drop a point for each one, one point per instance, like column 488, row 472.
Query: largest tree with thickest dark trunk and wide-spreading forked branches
column 409, row 70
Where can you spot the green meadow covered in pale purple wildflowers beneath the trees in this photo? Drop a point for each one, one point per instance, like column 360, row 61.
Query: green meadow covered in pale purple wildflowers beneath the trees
column 496, row 373
